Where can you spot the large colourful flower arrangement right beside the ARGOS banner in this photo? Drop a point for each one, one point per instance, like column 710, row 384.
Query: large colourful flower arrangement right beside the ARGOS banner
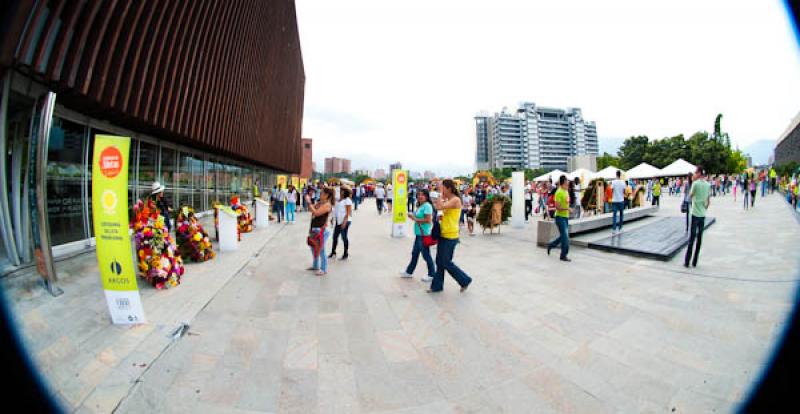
column 155, row 249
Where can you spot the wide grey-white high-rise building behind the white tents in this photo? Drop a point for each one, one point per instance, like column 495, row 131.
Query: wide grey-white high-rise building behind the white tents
column 533, row 137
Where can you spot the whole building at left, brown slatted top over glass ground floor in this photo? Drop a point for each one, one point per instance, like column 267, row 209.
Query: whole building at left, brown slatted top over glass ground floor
column 211, row 94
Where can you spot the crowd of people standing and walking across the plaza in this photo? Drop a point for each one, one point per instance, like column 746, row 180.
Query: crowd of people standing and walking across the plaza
column 439, row 211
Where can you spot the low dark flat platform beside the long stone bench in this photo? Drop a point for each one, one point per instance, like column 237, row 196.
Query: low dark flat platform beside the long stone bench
column 658, row 240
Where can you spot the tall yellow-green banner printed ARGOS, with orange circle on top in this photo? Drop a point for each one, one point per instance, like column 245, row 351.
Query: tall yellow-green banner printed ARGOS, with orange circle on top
column 110, row 214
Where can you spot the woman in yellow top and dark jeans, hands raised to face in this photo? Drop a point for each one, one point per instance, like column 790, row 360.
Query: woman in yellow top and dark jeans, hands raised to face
column 450, row 206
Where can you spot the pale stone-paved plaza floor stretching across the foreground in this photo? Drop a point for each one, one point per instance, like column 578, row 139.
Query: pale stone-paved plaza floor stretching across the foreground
column 532, row 334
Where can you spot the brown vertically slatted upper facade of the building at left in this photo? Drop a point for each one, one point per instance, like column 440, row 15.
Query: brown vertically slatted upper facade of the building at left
column 223, row 75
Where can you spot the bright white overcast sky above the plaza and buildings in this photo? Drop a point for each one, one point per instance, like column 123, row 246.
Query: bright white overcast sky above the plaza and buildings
column 402, row 80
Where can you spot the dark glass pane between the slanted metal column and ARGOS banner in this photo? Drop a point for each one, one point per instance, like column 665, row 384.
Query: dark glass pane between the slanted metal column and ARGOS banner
column 65, row 175
